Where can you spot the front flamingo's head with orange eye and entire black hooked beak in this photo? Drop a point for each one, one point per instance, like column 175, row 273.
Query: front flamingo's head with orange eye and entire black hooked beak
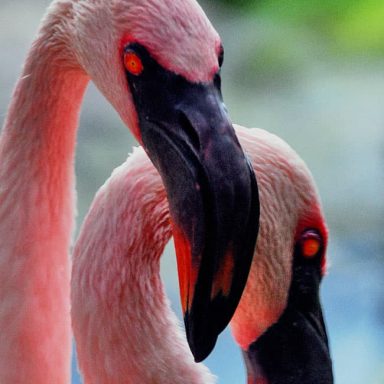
column 158, row 62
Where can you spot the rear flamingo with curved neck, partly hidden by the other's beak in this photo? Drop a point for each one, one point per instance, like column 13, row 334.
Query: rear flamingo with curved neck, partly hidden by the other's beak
column 124, row 328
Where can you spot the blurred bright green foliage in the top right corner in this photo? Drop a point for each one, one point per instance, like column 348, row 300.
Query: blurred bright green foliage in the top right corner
column 352, row 26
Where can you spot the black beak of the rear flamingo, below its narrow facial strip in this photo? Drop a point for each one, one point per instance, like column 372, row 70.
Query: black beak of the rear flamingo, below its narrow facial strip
column 294, row 350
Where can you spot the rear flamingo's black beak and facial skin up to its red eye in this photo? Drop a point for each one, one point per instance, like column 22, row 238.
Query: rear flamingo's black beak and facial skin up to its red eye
column 295, row 349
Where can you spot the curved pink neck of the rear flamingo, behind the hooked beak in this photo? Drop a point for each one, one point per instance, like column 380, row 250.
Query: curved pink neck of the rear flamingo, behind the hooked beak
column 124, row 328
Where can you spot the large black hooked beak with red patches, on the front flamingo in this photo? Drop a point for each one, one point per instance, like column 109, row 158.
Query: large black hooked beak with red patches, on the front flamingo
column 211, row 189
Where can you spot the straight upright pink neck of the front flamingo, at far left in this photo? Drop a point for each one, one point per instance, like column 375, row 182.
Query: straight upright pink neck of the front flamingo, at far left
column 36, row 220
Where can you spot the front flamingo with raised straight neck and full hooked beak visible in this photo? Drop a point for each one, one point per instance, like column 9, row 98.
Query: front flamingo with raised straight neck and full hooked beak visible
column 158, row 63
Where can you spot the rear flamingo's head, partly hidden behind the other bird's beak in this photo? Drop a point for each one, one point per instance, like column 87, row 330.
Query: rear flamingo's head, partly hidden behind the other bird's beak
column 279, row 323
